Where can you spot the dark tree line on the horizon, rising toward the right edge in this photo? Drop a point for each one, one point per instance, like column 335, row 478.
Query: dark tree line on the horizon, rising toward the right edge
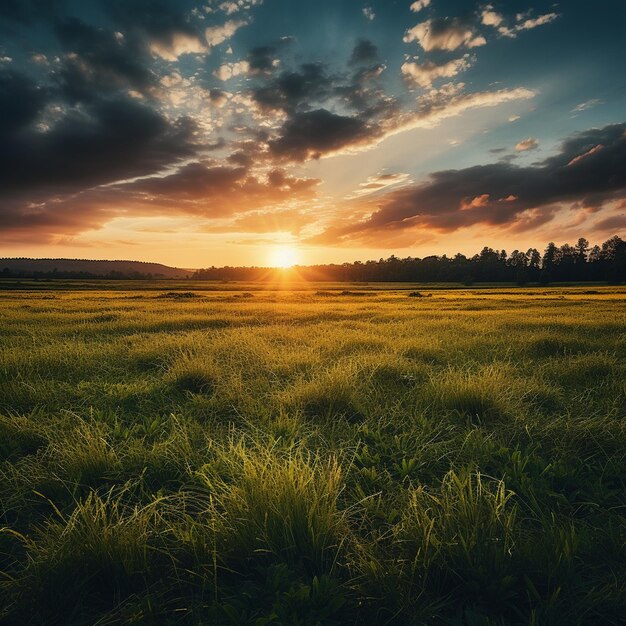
column 567, row 263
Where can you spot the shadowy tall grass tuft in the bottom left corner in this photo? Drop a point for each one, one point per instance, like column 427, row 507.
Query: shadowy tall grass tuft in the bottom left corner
column 95, row 557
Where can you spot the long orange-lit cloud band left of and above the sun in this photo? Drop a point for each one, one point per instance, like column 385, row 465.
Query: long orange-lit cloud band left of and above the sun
column 205, row 190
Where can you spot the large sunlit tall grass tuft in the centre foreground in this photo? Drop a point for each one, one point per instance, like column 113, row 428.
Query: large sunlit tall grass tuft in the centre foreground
column 283, row 504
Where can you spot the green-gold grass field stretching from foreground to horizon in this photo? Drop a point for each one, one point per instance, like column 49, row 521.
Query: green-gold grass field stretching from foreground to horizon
column 329, row 454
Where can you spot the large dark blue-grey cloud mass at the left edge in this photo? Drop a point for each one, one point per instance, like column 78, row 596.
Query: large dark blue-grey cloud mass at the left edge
column 96, row 144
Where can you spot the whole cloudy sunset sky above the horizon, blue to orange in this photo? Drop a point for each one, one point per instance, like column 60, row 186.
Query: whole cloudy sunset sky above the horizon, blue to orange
column 248, row 132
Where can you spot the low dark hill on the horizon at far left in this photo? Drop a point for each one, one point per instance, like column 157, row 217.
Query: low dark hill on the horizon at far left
column 23, row 267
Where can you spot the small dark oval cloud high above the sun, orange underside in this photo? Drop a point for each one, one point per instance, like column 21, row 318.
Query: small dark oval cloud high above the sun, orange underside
column 314, row 133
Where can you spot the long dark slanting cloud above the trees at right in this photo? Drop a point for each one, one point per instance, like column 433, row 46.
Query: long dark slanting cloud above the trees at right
column 588, row 170
